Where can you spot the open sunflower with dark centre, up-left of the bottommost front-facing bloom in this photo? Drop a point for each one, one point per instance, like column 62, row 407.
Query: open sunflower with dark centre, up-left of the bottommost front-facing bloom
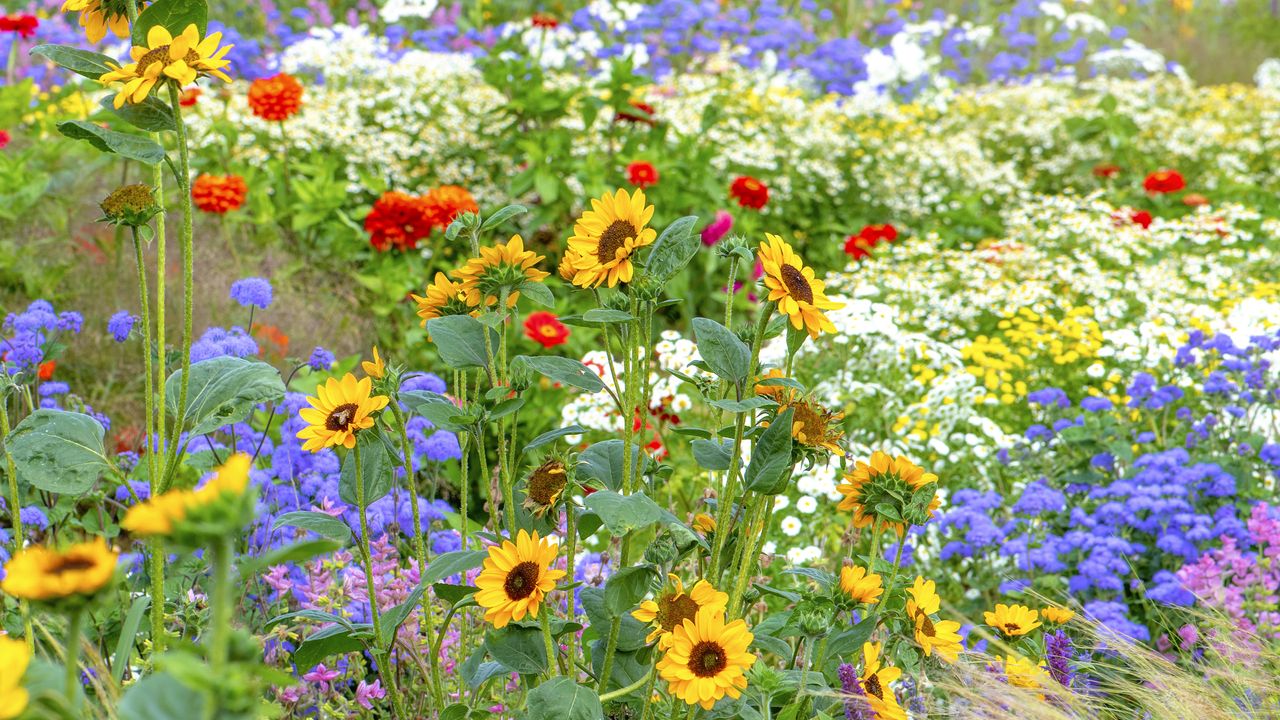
column 516, row 577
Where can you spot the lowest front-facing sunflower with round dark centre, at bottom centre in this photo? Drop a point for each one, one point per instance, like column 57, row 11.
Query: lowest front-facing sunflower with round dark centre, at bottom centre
column 707, row 659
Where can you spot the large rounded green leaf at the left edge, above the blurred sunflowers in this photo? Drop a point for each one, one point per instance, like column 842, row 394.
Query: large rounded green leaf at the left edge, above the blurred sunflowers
column 60, row 452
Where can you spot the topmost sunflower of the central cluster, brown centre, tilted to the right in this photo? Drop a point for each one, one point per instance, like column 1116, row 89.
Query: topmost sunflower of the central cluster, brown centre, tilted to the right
column 607, row 238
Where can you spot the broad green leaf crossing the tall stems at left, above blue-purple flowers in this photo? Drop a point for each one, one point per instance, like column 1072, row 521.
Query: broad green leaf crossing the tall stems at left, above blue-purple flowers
column 223, row 391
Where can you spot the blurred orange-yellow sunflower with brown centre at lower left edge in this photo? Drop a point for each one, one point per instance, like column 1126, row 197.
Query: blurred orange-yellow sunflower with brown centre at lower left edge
column 44, row 575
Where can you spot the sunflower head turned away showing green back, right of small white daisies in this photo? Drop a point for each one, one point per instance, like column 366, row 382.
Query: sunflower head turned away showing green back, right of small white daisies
column 876, row 489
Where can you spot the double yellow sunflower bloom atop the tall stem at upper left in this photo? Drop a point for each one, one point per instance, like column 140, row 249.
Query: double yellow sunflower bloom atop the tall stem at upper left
column 181, row 60
